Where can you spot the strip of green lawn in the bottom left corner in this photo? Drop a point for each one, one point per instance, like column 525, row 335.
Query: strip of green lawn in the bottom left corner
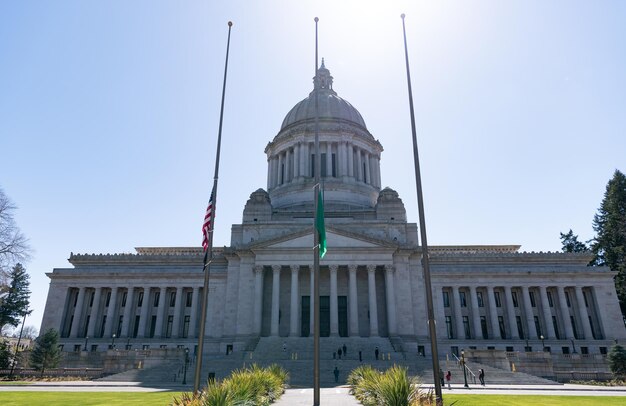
column 86, row 398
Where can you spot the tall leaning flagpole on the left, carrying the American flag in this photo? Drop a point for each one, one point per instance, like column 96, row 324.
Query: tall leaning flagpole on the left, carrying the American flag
column 208, row 253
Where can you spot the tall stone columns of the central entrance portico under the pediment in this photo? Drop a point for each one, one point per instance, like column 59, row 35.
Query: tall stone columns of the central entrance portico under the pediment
column 353, row 319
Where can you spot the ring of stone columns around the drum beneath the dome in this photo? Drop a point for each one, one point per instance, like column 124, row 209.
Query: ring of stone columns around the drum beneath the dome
column 351, row 161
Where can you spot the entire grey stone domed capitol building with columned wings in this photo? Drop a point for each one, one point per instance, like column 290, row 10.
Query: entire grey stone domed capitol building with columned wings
column 371, row 281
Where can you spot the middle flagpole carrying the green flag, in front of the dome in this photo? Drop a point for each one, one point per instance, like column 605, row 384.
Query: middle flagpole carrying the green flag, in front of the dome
column 316, row 243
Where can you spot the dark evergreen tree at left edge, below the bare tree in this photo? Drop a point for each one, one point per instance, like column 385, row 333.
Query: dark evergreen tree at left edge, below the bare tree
column 15, row 304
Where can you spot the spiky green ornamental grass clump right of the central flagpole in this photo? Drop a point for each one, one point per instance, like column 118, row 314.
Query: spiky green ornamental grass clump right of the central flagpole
column 394, row 387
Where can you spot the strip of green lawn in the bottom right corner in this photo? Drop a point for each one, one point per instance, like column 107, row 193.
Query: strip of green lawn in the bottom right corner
column 515, row 400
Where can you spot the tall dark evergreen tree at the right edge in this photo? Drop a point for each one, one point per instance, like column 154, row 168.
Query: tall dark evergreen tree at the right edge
column 609, row 245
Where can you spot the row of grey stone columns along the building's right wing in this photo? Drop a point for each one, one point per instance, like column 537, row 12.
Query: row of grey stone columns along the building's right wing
column 545, row 313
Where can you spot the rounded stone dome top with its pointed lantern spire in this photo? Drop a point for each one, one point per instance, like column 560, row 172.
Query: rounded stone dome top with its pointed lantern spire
column 330, row 105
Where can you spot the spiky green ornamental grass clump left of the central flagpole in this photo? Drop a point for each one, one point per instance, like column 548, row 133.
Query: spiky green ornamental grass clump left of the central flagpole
column 252, row 386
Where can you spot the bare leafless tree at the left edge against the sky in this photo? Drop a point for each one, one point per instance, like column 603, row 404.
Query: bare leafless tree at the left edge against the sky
column 13, row 244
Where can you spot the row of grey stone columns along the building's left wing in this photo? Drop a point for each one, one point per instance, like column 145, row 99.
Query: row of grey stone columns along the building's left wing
column 130, row 310
